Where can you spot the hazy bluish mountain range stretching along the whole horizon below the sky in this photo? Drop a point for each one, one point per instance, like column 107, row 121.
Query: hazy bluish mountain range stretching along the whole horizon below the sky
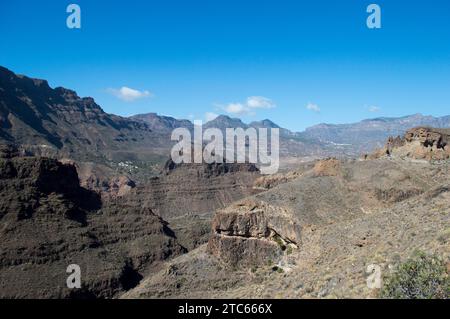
column 56, row 121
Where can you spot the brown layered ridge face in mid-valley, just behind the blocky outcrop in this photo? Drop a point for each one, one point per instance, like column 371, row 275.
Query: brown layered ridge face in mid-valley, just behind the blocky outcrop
column 185, row 189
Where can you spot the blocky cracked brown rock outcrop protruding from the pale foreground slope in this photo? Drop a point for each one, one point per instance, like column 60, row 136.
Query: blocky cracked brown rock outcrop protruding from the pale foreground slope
column 252, row 233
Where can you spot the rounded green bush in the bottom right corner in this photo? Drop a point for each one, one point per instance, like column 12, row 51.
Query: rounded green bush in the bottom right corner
column 421, row 277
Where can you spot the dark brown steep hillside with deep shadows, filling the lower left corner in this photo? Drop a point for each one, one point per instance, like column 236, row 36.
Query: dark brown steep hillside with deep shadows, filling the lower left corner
column 48, row 222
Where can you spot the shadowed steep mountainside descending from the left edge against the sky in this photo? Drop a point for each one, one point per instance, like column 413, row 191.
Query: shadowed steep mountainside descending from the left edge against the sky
column 57, row 122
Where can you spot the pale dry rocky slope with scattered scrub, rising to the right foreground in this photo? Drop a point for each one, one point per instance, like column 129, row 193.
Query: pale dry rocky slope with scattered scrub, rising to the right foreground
column 314, row 234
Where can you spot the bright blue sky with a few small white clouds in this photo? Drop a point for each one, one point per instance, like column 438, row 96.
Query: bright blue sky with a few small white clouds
column 258, row 59
